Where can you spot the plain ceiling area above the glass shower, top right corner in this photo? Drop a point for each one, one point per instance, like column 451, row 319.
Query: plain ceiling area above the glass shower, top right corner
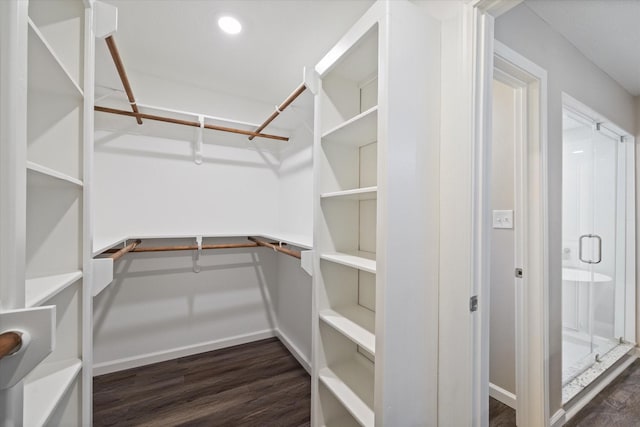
column 605, row 31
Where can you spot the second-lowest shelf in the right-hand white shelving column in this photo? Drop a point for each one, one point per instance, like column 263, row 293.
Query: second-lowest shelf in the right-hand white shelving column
column 355, row 322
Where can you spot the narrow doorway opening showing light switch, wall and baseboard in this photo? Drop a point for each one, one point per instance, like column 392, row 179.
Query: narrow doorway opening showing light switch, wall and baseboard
column 504, row 248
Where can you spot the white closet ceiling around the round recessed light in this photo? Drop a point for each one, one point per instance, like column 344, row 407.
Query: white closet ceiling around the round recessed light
column 180, row 40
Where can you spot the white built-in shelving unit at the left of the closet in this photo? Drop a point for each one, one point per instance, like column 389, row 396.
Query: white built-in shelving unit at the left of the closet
column 54, row 172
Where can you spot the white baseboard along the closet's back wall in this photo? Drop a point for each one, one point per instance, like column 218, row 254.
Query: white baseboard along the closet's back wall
column 174, row 353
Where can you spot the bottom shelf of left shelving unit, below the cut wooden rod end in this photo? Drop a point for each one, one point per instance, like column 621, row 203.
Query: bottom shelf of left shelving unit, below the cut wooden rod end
column 45, row 387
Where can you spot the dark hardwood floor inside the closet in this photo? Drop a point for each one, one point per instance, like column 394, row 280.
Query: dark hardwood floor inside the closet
column 255, row 384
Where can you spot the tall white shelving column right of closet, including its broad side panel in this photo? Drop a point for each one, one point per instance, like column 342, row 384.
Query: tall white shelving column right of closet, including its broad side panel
column 375, row 337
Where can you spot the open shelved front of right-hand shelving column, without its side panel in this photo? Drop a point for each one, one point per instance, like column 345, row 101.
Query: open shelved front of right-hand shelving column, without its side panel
column 347, row 149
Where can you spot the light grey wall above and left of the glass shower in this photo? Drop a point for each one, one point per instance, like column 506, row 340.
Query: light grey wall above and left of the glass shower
column 571, row 72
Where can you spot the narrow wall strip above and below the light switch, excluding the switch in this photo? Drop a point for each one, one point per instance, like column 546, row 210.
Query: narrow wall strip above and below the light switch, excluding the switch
column 502, row 357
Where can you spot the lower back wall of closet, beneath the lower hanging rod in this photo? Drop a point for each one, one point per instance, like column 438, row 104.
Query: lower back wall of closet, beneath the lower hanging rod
column 157, row 308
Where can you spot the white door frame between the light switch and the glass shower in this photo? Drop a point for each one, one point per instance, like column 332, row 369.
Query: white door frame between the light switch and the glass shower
column 532, row 331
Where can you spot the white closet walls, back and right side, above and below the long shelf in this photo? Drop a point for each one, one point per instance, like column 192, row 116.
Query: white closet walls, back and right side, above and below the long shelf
column 147, row 183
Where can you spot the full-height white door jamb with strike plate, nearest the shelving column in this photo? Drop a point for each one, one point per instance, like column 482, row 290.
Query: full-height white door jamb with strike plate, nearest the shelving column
column 479, row 29
